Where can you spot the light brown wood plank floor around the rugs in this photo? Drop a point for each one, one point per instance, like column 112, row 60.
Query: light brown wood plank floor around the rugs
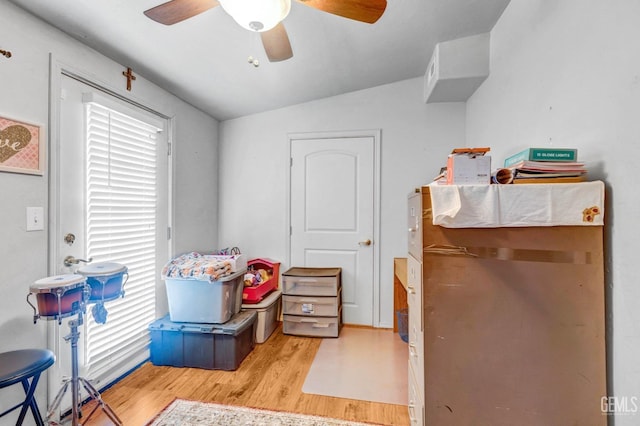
column 270, row 377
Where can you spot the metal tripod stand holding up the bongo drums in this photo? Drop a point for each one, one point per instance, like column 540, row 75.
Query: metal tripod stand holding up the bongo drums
column 75, row 381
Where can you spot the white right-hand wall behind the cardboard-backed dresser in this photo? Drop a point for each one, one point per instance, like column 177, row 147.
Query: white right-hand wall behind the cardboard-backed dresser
column 567, row 73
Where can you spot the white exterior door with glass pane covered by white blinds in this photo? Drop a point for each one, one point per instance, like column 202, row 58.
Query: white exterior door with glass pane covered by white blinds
column 110, row 180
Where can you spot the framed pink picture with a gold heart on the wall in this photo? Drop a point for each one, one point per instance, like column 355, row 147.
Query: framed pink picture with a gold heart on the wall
column 21, row 147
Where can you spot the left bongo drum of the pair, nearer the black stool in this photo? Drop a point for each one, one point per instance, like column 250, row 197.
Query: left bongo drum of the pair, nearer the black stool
column 58, row 296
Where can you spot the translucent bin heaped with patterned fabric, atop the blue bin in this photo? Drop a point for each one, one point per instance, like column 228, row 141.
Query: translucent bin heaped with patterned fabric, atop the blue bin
column 204, row 288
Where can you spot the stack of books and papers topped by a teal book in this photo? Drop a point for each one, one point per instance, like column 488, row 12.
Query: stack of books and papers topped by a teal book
column 546, row 165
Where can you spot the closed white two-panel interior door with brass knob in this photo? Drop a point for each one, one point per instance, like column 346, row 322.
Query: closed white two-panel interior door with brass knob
column 333, row 193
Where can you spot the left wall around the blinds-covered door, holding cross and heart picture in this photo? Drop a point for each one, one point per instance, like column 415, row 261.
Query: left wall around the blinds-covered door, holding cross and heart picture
column 24, row 95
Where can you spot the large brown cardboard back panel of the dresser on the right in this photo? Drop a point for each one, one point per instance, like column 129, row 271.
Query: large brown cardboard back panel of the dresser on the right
column 514, row 325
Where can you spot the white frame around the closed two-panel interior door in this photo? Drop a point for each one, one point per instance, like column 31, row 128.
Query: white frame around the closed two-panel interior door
column 375, row 134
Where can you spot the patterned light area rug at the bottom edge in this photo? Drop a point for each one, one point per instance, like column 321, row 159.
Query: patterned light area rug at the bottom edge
column 190, row 413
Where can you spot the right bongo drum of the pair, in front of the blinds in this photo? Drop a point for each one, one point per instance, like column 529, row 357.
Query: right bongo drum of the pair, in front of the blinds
column 106, row 280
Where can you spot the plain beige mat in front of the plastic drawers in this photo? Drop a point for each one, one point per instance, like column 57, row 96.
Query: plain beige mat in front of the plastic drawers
column 364, row 364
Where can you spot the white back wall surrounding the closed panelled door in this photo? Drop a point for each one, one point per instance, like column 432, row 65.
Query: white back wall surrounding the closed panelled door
column 254, row 162
